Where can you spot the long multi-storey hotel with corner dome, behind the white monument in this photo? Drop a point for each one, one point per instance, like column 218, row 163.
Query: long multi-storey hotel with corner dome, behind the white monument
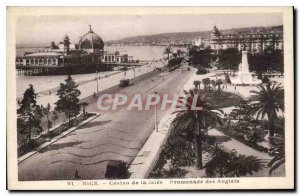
column 253, row 42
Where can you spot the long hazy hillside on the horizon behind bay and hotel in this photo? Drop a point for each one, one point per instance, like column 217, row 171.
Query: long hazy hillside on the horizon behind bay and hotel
column 187, row 37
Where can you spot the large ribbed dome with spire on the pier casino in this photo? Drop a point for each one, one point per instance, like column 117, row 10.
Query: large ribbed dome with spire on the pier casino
column 91, row 40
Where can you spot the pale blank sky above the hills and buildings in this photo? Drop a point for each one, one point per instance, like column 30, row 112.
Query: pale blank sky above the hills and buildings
column 44, row 29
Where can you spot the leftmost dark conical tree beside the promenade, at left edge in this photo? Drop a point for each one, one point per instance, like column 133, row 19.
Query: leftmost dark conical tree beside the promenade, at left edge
column 29, row 115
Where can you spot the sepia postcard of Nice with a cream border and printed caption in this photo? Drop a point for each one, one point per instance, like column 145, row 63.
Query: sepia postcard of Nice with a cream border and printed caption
column 150, row 98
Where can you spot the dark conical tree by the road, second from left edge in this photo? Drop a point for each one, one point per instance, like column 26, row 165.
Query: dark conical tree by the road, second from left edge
column 68, row 101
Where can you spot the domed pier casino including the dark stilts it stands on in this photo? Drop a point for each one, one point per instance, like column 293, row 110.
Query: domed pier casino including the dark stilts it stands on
column 88, row 53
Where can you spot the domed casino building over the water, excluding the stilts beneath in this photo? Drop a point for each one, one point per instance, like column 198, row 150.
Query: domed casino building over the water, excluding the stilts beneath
column 89, row 50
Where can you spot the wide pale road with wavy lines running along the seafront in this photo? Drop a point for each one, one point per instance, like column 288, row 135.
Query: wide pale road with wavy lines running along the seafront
column 114, row 135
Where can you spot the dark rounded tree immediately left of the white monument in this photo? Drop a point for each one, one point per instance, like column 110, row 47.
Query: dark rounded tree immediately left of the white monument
column 229, row 59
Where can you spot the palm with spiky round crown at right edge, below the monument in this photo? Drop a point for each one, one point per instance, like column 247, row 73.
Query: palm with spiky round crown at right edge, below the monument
column 267, row 102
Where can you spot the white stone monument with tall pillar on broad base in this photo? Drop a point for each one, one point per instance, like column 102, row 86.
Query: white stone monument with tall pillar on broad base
column 244, row 76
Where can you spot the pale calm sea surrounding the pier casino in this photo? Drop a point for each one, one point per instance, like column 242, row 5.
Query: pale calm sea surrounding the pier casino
column 42, row 83
